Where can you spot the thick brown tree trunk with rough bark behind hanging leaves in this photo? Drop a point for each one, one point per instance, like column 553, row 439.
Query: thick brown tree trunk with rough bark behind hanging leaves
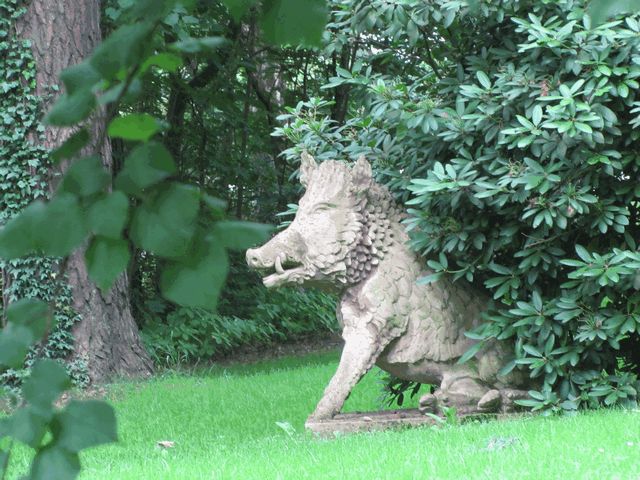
column 63, row 33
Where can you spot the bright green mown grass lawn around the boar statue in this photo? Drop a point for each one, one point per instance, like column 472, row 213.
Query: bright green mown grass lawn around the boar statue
column 223, row 423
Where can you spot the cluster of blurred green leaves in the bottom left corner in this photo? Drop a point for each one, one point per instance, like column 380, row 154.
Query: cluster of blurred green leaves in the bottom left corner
column 56, row 435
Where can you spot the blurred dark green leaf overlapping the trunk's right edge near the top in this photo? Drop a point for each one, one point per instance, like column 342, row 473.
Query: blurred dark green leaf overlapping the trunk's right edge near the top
column 121, row 50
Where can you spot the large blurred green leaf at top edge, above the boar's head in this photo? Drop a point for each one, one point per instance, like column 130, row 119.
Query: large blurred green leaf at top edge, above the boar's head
column 294, row 22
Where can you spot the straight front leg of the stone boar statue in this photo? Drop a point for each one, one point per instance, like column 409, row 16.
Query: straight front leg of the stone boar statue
column 358, row 356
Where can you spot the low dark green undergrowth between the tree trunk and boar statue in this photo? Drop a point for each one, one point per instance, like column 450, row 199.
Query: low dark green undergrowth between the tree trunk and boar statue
column 189, row 335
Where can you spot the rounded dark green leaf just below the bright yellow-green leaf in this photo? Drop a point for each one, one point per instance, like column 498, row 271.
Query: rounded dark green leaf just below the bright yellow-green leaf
column 146, row 165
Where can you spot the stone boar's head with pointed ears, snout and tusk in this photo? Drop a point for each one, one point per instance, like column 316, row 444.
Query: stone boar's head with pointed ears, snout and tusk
column 319, row 245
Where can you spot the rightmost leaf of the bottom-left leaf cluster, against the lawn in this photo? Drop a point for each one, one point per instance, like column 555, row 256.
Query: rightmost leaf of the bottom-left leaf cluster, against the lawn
column 85, row 424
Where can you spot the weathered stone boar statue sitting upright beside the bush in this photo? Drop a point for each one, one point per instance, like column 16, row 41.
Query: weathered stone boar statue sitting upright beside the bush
column 347, row 236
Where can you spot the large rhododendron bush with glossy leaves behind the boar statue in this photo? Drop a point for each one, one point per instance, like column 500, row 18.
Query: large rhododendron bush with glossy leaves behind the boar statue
column 509, row 130
